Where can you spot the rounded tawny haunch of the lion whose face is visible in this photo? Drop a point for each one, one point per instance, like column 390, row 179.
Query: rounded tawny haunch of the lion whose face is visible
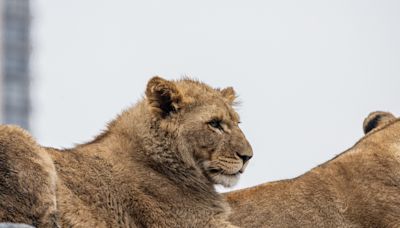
column 27, row 180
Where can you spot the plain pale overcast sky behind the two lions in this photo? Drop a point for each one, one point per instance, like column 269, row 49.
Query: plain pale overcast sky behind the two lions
column 307, row 72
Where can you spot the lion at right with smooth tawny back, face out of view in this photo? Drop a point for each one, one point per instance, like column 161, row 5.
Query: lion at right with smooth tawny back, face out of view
column 358, row 188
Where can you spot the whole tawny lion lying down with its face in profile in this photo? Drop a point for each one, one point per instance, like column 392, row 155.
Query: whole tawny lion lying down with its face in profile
column 155, row 166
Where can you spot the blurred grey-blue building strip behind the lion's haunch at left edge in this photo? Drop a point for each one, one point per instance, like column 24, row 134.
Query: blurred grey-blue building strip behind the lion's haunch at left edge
column 14, row 62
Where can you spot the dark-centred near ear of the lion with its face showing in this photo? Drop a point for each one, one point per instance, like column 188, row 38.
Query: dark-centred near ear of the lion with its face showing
column 163, row 96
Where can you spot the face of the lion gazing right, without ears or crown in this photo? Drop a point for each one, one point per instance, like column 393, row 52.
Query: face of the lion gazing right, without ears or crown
column 217, row 143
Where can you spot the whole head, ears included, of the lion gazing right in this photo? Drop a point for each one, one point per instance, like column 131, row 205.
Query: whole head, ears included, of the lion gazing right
column 204, row 124
